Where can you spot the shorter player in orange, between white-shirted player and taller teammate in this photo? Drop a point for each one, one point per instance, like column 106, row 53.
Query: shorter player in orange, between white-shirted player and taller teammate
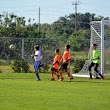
column 55, row 65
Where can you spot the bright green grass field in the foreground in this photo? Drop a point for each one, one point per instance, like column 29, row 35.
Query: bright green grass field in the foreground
column 23, row 92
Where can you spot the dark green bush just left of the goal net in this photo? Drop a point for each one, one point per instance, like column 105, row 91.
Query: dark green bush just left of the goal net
column 78, row 64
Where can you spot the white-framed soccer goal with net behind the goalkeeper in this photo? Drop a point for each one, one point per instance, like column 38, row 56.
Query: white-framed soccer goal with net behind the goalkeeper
column 100, row 34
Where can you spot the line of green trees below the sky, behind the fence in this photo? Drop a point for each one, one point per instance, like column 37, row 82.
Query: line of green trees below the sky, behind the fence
column 12, row 25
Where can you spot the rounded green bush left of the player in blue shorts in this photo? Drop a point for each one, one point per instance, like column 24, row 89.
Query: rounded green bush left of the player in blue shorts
column 20, row 66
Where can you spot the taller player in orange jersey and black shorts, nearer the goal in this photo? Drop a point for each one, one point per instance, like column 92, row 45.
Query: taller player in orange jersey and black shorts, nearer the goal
column 65, row 61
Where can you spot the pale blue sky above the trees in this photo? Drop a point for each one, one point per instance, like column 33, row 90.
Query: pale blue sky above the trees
column 51, row 10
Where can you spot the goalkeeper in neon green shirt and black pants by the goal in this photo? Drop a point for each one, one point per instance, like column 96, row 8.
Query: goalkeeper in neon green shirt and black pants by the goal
column 96, row 61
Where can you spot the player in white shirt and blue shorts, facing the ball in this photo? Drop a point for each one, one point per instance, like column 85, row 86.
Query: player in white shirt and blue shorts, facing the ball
column 38, row 57
